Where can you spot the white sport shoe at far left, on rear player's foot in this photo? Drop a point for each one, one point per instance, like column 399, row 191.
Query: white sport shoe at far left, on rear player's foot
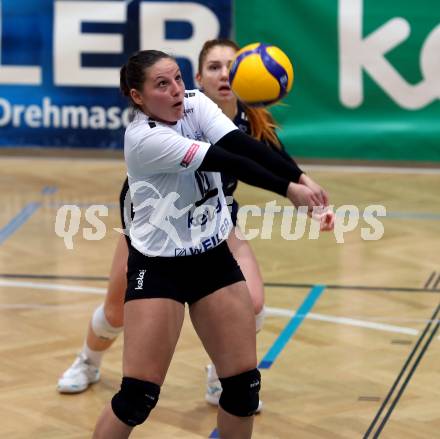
column 78, row 377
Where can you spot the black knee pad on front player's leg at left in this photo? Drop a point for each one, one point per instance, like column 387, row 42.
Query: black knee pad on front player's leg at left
column 134, row 402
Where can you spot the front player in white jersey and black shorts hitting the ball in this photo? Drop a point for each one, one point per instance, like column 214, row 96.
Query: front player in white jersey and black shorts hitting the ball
column 175, row 147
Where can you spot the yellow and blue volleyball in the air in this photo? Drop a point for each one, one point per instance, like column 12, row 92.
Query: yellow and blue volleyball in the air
column 260, row 74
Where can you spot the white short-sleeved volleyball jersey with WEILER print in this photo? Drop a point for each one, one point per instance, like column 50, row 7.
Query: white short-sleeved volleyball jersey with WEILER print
column 178, row 210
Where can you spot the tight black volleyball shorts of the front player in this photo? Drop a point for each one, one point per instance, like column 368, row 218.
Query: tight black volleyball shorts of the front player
column 184, row 279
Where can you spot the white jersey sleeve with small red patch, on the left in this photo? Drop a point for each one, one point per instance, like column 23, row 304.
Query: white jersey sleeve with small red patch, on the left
column 160, row 149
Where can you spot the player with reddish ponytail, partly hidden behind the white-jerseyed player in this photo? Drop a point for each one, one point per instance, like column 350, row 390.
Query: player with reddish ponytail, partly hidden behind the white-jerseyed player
column 107, row 320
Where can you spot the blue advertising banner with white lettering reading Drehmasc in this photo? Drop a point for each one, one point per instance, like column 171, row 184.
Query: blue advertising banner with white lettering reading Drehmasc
column 60, row 61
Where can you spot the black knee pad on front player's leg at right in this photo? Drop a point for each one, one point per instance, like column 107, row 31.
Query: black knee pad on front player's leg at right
column 240, row 393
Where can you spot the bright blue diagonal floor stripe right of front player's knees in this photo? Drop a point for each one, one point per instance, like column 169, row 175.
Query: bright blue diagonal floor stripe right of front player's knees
column 290, row 329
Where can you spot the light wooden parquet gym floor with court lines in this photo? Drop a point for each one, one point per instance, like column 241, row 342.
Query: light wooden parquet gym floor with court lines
column 359, row 359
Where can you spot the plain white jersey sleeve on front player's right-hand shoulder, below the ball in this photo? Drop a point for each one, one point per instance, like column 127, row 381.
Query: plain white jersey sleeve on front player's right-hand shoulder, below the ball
column 212, row 121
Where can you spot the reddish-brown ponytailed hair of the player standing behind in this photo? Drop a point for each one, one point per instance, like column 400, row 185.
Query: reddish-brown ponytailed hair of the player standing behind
column 261, row 121
